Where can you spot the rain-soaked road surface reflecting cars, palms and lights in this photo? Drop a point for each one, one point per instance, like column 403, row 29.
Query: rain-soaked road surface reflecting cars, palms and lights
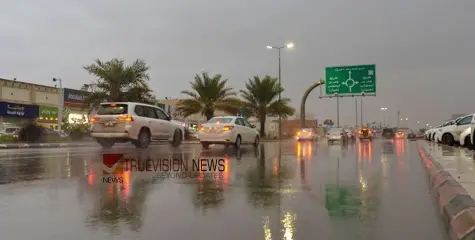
column 363, row 190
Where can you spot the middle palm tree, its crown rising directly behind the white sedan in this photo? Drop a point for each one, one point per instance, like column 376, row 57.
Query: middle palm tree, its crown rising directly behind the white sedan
column 210, row 94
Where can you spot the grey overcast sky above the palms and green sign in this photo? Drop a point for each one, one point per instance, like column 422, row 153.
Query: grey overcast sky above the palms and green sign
column 424, row 50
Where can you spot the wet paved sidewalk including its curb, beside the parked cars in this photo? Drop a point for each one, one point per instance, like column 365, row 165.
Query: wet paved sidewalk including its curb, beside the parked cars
column 451, row 175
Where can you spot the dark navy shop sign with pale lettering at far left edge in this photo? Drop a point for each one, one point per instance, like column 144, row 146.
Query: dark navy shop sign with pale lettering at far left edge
column 14, row 114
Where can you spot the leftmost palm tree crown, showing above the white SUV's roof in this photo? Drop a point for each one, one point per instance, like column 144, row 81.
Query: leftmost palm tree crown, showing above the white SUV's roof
column 117, row 81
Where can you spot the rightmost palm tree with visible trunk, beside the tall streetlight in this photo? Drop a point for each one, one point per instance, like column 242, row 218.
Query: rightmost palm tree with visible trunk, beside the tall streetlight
column 261, row 100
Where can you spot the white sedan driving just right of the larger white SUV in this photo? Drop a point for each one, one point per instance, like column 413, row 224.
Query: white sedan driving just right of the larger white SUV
column 228, row 130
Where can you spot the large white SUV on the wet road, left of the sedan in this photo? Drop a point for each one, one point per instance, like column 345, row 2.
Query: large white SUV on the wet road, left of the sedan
column 136, row 122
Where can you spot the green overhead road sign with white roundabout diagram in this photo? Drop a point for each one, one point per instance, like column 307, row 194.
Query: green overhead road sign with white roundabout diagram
column 347, row 80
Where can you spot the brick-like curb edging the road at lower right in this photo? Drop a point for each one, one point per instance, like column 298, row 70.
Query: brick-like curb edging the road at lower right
column 456, row 206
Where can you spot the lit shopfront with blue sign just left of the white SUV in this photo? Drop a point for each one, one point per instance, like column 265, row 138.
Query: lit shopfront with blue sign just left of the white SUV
column 74, row 106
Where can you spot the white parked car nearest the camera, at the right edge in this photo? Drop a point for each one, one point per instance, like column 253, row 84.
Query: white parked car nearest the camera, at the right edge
column 450, row 134
